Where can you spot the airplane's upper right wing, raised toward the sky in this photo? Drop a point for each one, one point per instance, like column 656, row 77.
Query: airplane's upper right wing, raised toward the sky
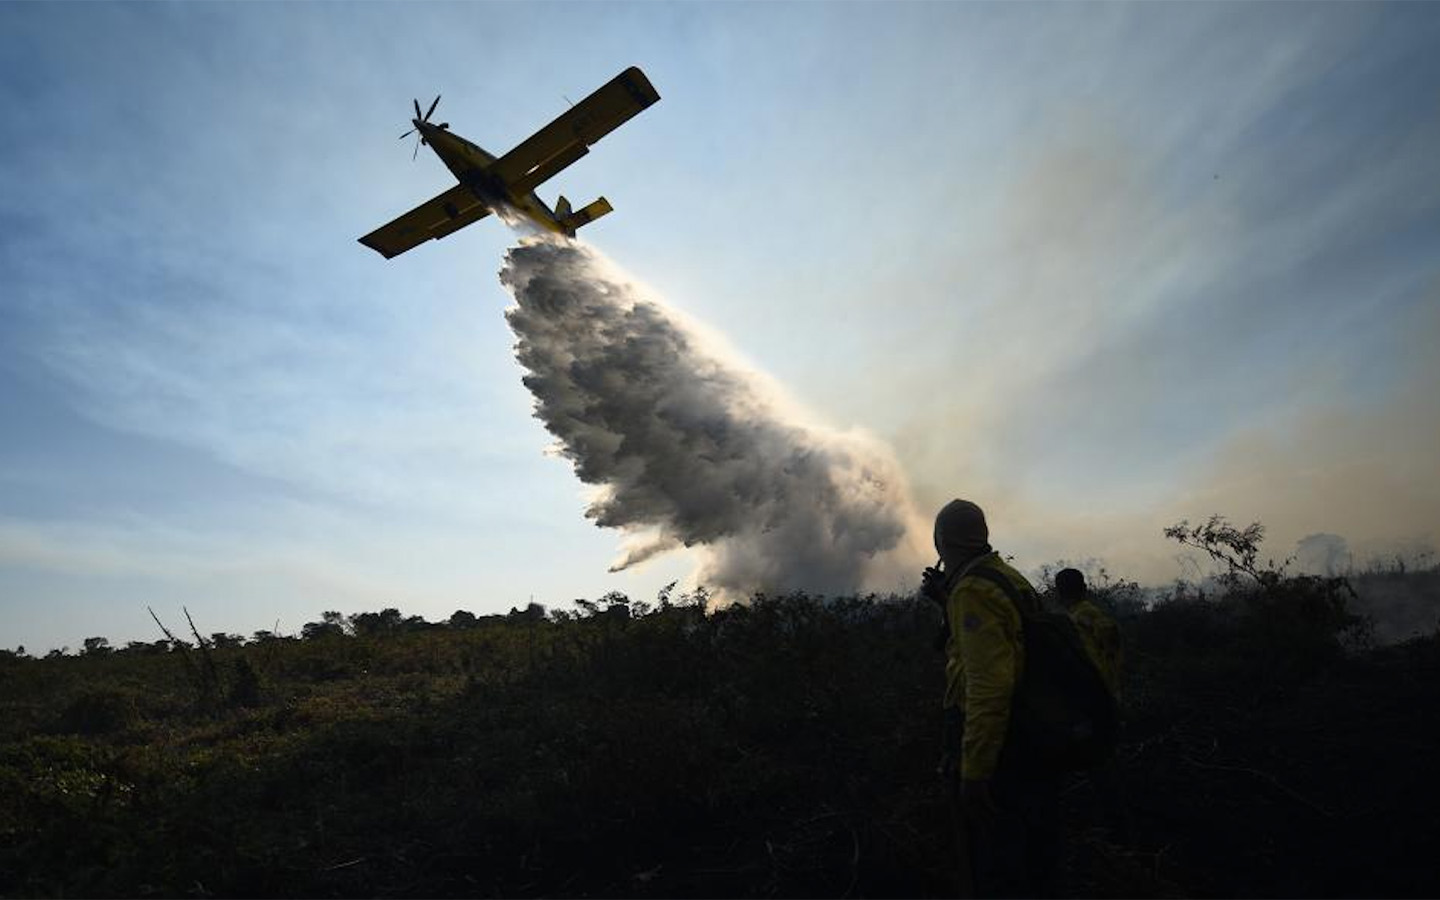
column 565, row 140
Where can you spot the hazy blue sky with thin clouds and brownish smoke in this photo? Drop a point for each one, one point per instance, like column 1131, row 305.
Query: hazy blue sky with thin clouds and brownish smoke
column 1097, row 267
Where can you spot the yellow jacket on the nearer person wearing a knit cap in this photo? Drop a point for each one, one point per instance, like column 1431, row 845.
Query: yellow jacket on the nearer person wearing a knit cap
column 986, row 656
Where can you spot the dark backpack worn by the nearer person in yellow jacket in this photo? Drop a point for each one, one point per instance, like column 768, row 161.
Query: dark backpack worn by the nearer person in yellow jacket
column 1062, row 715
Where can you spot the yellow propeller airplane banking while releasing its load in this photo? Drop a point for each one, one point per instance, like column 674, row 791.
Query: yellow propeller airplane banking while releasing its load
column 489, row 184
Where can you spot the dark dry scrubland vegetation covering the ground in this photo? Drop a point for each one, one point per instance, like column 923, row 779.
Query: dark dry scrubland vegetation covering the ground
column 781, row 750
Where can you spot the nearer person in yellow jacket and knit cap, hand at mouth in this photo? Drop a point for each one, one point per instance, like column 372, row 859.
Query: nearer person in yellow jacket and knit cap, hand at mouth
column 1010, row 816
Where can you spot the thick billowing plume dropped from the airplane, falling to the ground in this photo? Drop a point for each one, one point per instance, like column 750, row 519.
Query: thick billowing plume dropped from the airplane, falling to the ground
column 690, row 450
